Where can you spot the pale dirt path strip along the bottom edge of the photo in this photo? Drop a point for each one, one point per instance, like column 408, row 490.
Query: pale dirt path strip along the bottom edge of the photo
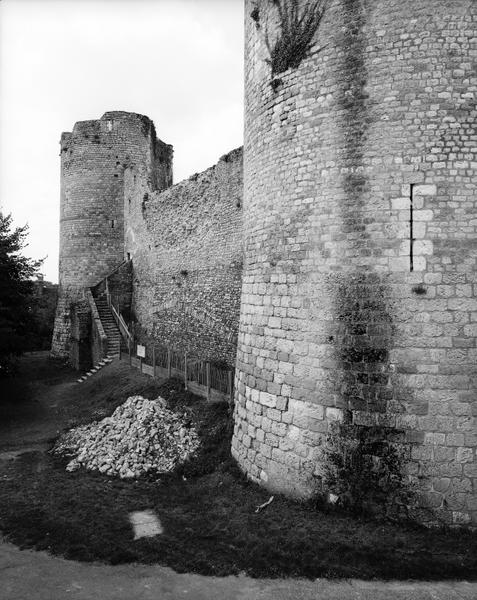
column 37, row 576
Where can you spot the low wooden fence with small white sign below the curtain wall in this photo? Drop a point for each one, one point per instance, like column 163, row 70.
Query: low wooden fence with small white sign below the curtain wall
column 200, row 377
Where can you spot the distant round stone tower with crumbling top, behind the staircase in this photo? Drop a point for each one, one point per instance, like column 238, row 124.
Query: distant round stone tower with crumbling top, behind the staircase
column 93, row 159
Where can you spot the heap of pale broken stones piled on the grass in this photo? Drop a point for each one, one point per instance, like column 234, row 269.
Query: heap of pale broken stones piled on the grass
column 140, row 436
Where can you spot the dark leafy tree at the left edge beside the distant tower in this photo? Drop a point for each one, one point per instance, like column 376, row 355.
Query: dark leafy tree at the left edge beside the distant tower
column 16, row 298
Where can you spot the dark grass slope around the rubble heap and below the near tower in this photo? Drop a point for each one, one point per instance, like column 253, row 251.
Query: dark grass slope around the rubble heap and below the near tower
column 207, row 508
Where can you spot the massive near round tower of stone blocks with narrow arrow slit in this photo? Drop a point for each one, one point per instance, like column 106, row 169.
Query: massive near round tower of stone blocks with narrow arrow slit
column 342, row 315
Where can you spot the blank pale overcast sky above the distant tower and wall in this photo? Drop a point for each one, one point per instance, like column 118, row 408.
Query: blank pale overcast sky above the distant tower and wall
column 180, row 62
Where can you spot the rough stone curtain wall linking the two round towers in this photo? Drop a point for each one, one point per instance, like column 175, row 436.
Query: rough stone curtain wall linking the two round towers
column 186, row 248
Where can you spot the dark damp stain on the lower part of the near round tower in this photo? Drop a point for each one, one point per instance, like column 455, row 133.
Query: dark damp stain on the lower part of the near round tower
column 367, row 456
